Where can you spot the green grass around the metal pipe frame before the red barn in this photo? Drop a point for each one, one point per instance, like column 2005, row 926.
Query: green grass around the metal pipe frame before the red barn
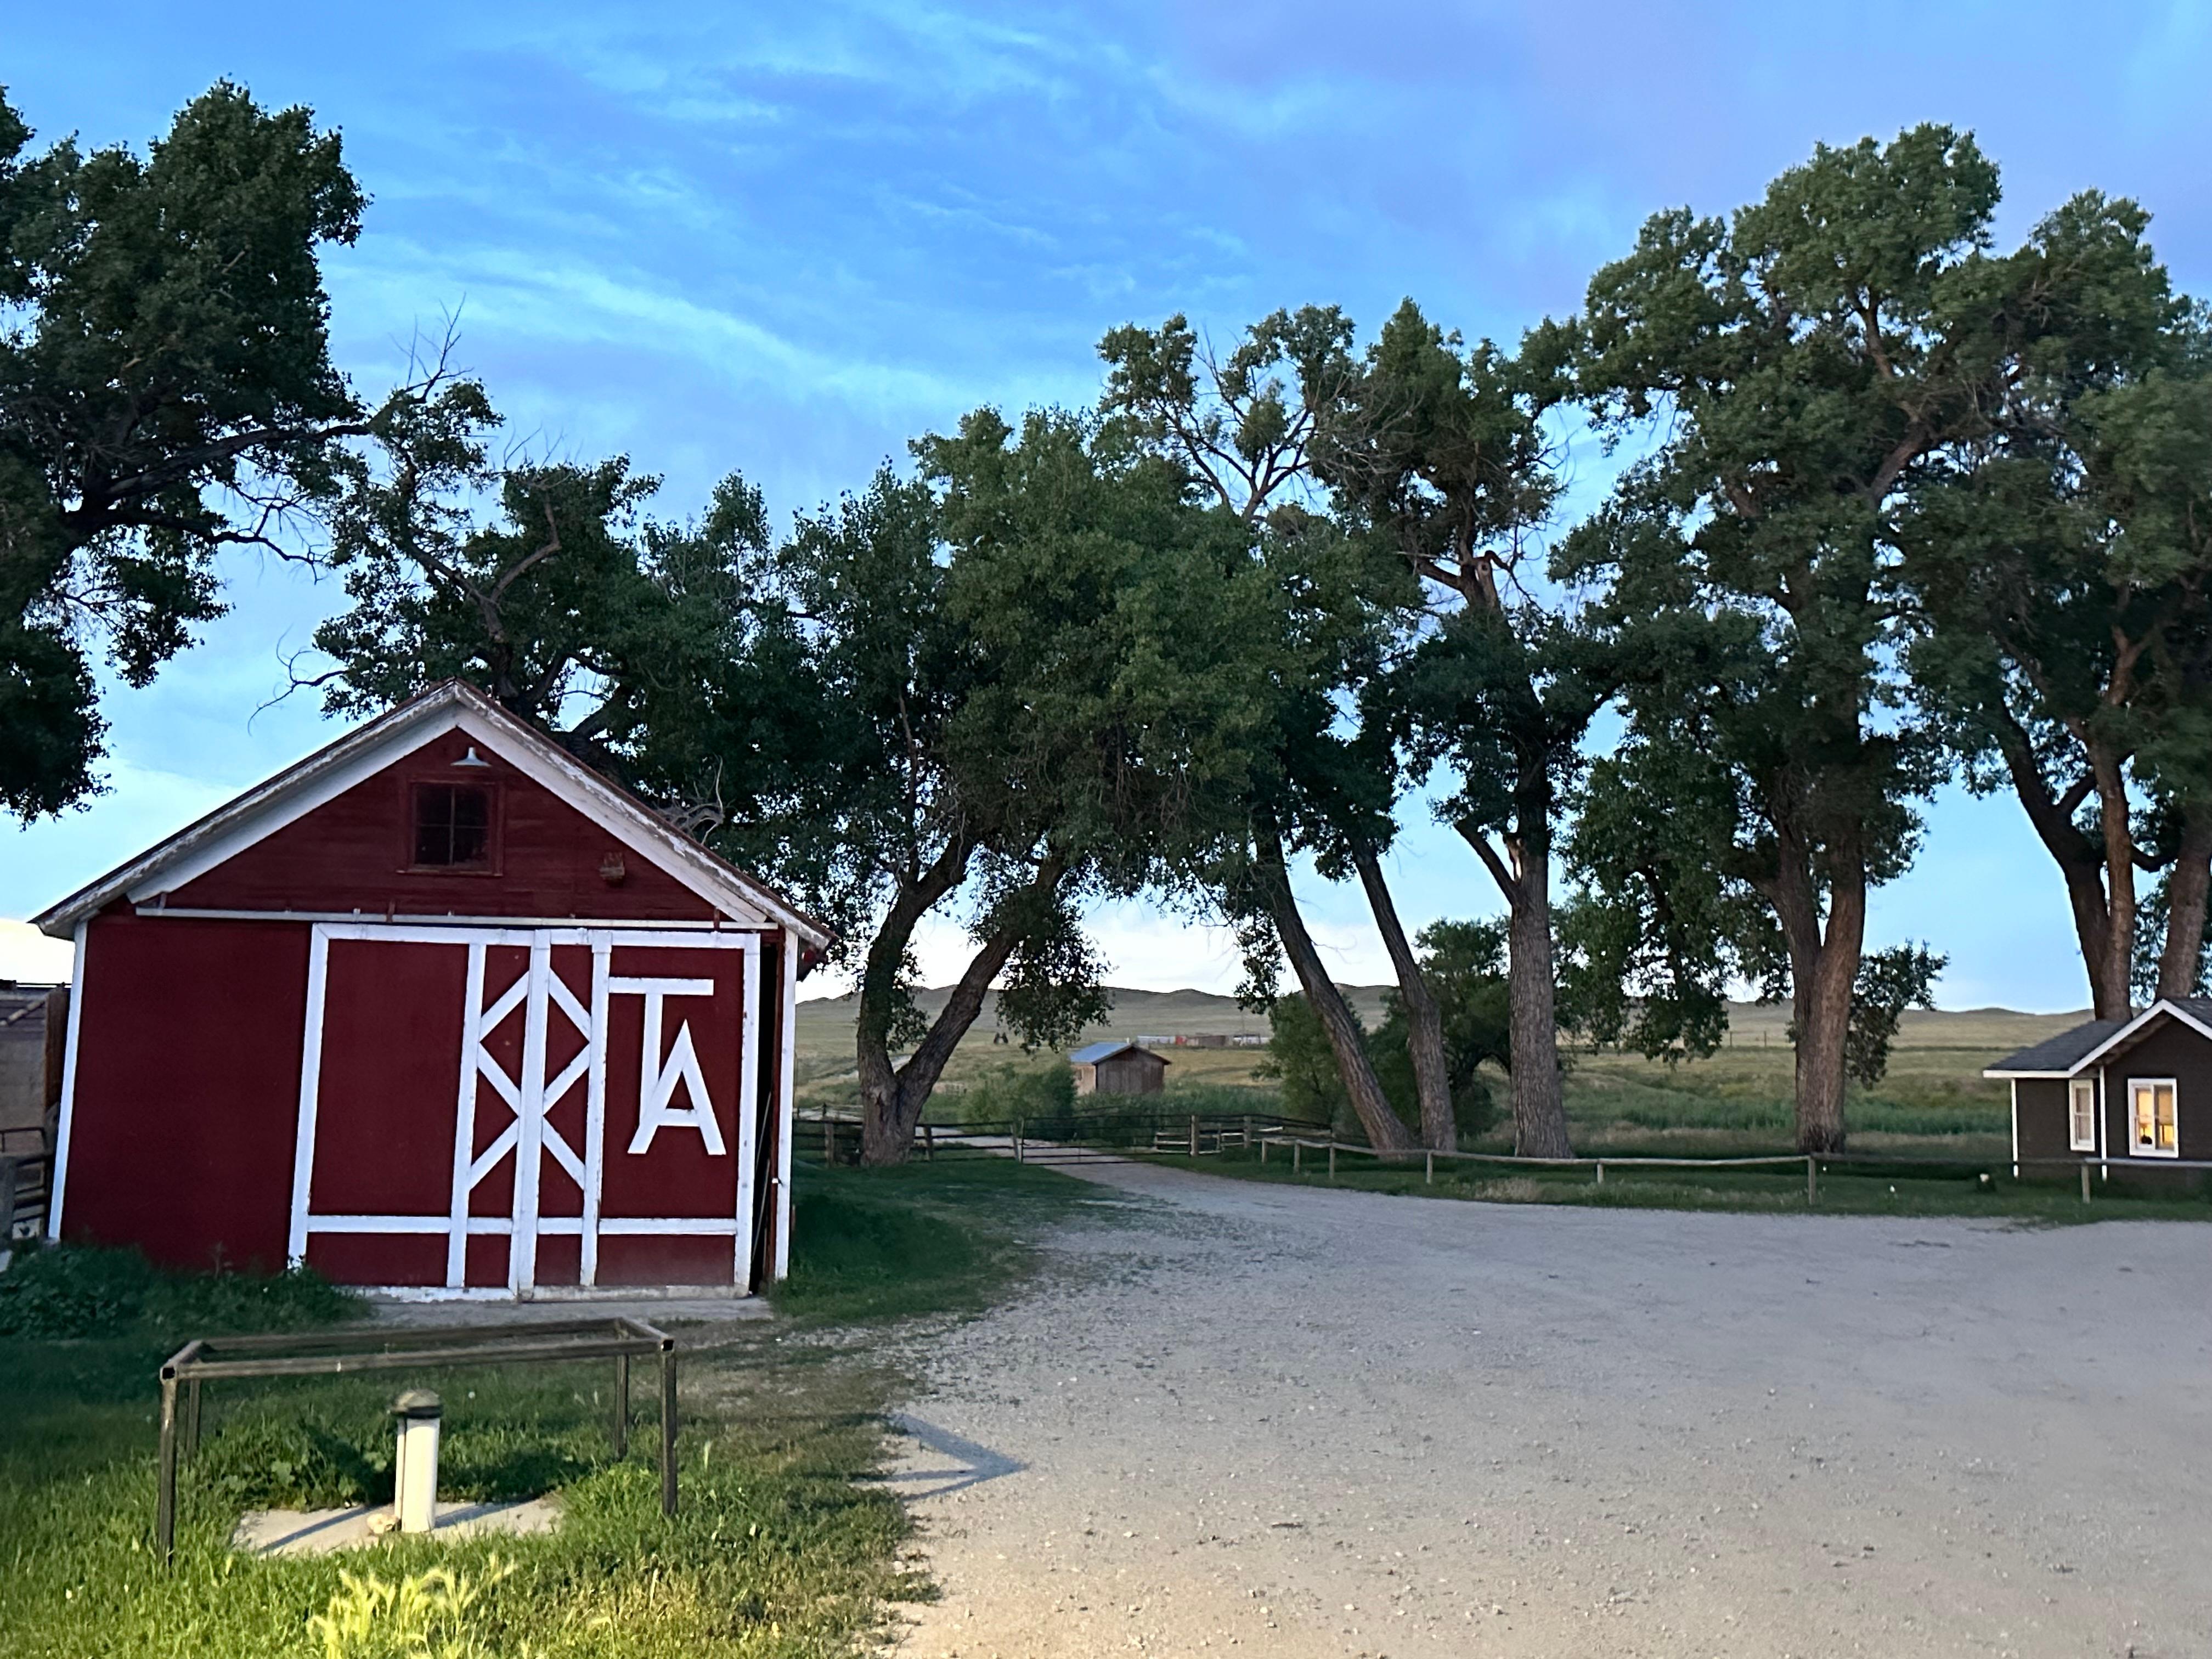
column 782, row 1545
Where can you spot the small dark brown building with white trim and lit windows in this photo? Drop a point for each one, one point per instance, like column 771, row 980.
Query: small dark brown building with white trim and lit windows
column 2118, row 1089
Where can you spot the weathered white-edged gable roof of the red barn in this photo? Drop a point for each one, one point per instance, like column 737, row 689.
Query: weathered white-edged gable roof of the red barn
column 390, row 738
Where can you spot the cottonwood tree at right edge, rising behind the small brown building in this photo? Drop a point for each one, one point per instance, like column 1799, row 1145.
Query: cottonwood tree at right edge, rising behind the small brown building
column 2060, row 572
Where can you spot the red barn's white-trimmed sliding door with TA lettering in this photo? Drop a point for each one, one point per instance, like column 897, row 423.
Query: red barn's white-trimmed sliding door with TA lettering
column 567, row 1041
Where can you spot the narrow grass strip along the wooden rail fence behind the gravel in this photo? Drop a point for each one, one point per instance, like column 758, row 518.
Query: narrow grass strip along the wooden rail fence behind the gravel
column 1890, row 1187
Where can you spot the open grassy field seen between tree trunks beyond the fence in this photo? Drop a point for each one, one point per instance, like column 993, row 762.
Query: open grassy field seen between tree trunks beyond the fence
column 1738, row 1100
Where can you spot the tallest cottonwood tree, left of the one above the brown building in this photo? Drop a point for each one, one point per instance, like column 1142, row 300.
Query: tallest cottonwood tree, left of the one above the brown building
column 1808, row 364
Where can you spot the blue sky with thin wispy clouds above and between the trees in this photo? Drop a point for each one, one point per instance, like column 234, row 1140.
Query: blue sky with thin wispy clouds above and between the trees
column 784, row 240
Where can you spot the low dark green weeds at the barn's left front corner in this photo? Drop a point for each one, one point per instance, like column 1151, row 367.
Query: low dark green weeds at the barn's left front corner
column 85, row 1291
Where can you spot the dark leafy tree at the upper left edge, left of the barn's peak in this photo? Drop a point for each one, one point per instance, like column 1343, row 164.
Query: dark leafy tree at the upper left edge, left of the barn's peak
column 165, row 395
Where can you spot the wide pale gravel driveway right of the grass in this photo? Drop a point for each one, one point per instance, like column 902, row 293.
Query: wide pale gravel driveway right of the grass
column 1333, row 1423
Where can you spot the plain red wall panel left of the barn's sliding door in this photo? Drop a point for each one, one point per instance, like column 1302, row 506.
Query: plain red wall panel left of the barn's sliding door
column 187, row 1089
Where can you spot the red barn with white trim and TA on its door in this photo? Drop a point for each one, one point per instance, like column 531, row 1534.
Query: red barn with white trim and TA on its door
column 444, row 1012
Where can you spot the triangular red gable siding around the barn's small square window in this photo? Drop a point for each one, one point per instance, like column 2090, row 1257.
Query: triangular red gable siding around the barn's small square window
column 353, row 855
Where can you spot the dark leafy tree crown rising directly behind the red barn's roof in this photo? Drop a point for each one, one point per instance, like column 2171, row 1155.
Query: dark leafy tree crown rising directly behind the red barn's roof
column 651, row 651
